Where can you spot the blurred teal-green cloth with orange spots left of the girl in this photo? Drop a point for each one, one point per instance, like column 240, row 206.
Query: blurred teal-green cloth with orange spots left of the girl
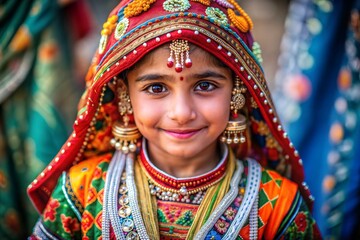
column 36, row 89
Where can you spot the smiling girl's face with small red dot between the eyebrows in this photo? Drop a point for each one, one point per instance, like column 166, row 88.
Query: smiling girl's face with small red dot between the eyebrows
column 180, row 114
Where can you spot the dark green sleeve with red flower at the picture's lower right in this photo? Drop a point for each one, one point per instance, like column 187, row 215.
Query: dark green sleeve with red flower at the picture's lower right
column 298, row 223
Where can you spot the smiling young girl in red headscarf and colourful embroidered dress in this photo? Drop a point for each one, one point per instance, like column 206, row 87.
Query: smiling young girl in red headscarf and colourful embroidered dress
column 173, row 136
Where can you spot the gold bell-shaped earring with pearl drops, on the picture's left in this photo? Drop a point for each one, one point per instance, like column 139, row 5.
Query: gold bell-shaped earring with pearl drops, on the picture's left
column 126, row 133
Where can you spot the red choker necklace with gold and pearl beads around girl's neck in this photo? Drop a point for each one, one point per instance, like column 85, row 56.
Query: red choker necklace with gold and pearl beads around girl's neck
column 188, row 190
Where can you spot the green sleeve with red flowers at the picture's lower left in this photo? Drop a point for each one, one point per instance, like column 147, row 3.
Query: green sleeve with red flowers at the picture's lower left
column 61, row 218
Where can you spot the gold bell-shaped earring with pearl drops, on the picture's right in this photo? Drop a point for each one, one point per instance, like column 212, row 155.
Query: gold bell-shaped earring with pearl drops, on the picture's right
column 234, row 131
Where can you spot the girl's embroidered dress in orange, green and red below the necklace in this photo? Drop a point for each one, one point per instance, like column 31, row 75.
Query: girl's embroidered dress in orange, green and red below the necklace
column 77, row 206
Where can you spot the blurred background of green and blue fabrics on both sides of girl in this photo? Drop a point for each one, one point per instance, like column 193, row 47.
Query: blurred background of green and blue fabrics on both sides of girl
column 310, row 51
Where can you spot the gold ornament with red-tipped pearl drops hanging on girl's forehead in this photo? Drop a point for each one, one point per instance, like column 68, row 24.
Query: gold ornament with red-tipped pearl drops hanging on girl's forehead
column 179, row 48
